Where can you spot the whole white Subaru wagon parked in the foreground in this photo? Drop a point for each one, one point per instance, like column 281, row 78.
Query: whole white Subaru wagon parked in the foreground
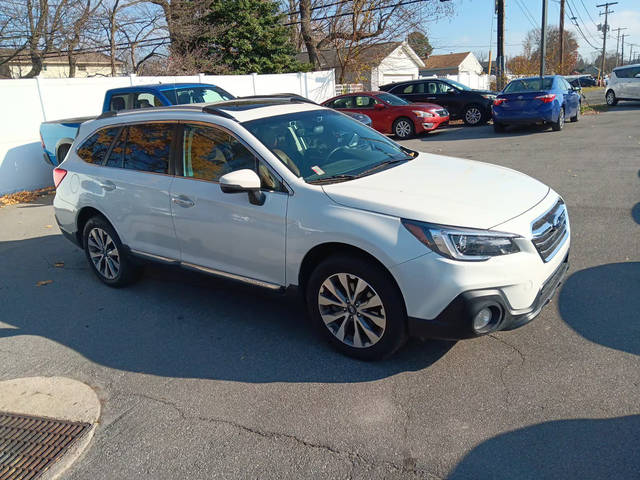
column 382, row 241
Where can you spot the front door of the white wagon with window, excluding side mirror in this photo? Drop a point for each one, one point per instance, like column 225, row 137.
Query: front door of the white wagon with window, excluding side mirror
column 224, row 231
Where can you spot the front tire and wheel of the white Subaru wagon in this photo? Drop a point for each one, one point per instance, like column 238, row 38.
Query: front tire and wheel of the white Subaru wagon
column 337, row 293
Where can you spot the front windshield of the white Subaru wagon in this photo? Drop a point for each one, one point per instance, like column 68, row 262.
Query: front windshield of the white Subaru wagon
column 324, row 145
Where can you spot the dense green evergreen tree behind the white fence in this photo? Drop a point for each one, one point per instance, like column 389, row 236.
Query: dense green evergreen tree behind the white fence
column 248, row 36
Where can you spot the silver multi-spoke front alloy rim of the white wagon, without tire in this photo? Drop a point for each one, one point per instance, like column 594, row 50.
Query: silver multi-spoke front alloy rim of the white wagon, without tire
column 352, row 310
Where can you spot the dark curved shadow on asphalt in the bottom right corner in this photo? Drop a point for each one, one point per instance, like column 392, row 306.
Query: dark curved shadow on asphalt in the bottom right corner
column 566, row 449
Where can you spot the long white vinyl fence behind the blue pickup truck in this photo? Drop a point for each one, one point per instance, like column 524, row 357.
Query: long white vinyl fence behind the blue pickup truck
column 25, row 103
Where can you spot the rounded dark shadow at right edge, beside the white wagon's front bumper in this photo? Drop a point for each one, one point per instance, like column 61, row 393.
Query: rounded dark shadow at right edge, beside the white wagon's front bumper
column 603, row 303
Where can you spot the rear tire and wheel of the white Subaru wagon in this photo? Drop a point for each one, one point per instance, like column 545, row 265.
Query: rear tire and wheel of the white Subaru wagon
column 106, row 255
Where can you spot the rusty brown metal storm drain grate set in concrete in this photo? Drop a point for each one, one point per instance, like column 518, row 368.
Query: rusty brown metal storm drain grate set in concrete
column 30, row 445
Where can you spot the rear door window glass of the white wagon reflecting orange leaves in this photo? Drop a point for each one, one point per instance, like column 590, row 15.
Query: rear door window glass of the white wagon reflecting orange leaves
column 148, row 147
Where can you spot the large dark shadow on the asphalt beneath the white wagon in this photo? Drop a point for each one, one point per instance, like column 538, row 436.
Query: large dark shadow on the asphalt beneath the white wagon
column 176, row 323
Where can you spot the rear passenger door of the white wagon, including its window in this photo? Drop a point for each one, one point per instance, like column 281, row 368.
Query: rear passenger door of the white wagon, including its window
column 133, row 188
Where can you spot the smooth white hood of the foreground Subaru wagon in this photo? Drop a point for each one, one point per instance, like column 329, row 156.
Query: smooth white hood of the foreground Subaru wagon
column 443, row 190
